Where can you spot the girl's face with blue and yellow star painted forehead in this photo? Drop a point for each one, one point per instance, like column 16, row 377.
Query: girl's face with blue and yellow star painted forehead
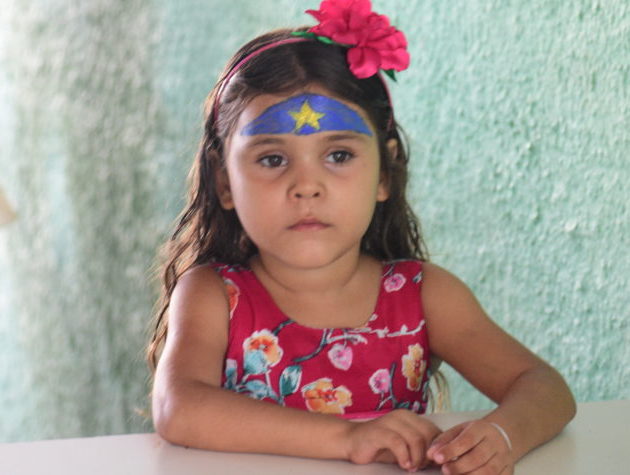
column 302, row 171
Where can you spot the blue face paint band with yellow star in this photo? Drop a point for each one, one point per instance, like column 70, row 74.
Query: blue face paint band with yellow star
column 307, row 114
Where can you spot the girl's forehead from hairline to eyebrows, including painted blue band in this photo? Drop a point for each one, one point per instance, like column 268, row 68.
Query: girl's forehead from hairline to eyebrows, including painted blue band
column 301, row 113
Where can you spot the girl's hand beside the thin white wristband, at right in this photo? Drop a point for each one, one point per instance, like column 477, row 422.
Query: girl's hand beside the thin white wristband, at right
column 474, row 447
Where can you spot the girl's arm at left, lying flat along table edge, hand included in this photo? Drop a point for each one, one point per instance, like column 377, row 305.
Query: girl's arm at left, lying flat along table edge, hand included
column 191, row 409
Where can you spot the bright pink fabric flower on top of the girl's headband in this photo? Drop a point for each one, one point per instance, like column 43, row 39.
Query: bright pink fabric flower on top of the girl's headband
column 373, row 44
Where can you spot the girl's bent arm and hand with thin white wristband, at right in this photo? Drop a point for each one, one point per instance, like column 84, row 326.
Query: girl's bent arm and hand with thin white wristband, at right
column 534, row 402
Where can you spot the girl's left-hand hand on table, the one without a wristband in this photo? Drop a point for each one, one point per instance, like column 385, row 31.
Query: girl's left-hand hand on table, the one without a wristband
column 400, row 436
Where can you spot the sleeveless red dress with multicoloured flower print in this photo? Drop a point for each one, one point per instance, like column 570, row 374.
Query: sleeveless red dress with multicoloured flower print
column 358, row 372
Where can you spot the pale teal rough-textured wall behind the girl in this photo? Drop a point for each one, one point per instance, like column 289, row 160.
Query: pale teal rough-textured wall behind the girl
column 519, row 124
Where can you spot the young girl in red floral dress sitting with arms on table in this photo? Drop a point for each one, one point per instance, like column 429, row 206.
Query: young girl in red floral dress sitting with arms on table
column 297, row 291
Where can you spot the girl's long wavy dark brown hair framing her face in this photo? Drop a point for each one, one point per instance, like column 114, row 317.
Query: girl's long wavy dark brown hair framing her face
column 208, row 233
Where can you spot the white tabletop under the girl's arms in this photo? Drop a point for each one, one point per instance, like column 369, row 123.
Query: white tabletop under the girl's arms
column 596, row 442
